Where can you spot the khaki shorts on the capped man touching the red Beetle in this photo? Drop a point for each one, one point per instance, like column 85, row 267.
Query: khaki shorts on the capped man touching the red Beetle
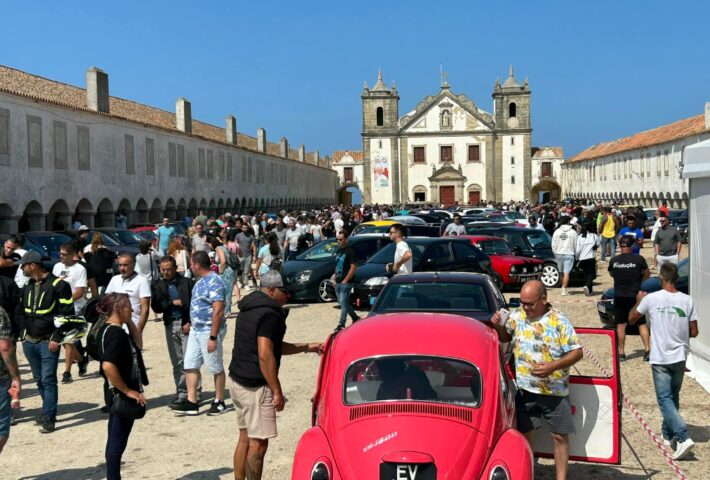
column 255, row 409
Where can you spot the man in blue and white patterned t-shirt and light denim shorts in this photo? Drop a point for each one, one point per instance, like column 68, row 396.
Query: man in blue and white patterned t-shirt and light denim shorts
column 207, row 331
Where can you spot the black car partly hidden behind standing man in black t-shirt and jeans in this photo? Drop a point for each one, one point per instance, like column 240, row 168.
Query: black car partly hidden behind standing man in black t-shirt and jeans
column 308, row 276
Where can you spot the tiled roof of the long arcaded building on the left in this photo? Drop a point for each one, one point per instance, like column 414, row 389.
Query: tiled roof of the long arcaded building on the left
column 45, row 90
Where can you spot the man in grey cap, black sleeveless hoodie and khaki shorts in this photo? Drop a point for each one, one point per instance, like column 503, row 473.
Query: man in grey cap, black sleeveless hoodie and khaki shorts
column 254, row 371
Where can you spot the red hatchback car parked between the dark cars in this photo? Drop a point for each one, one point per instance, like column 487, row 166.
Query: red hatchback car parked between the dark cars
column 513, row 270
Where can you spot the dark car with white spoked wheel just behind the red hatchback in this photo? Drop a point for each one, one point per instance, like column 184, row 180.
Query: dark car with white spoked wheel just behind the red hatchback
column 530, row 242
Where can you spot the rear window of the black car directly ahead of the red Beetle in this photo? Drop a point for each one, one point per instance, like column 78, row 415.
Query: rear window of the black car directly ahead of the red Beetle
column 432, row 297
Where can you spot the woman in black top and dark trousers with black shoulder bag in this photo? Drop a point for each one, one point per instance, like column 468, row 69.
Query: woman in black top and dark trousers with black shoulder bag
column 121, row 367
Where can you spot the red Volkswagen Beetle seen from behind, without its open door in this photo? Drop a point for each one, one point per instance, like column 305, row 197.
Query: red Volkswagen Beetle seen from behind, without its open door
column 393, row 403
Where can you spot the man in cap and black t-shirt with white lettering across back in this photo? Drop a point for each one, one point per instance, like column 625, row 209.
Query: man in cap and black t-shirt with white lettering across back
column 628, row 271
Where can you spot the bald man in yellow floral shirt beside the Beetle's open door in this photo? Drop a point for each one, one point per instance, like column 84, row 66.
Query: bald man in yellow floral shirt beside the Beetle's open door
column 545, row 346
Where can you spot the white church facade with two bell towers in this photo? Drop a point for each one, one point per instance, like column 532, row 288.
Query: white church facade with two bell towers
column 447, row 150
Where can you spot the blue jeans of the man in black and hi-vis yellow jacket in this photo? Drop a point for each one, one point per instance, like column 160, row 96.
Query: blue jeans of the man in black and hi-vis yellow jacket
column 44, row 371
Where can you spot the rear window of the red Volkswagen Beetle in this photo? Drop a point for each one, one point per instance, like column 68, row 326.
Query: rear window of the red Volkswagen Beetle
column 413, row 378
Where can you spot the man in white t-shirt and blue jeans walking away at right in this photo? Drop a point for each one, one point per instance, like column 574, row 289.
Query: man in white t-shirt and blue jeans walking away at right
column 673, row 321
